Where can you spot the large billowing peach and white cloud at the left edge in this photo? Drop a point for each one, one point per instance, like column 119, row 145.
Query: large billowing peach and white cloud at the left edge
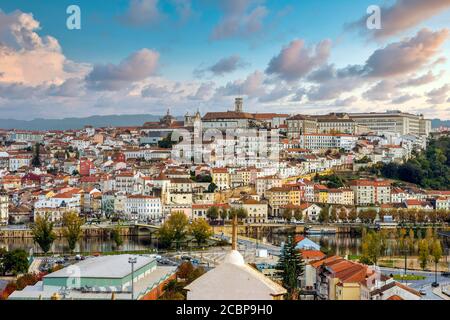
column 27, row 58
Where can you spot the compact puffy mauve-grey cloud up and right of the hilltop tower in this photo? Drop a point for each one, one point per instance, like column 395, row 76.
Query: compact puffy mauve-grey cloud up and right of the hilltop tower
column 296, row 60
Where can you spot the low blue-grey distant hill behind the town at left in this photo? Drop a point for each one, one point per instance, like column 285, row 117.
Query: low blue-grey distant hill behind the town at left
column 78, row 123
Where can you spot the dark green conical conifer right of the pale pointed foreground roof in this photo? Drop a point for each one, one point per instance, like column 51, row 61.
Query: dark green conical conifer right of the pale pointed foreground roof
column 290, row 267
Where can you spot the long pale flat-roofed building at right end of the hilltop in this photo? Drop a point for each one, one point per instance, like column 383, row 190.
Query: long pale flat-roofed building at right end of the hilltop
column 393, row 121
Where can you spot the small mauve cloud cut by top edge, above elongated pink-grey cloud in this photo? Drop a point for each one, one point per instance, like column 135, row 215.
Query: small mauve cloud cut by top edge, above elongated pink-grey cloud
column 142, row 13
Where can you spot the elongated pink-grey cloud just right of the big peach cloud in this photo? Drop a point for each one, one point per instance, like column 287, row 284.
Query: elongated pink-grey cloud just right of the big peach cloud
column 138, row 66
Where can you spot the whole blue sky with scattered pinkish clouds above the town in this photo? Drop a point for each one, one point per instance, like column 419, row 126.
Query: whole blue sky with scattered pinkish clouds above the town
column 147, row 56
